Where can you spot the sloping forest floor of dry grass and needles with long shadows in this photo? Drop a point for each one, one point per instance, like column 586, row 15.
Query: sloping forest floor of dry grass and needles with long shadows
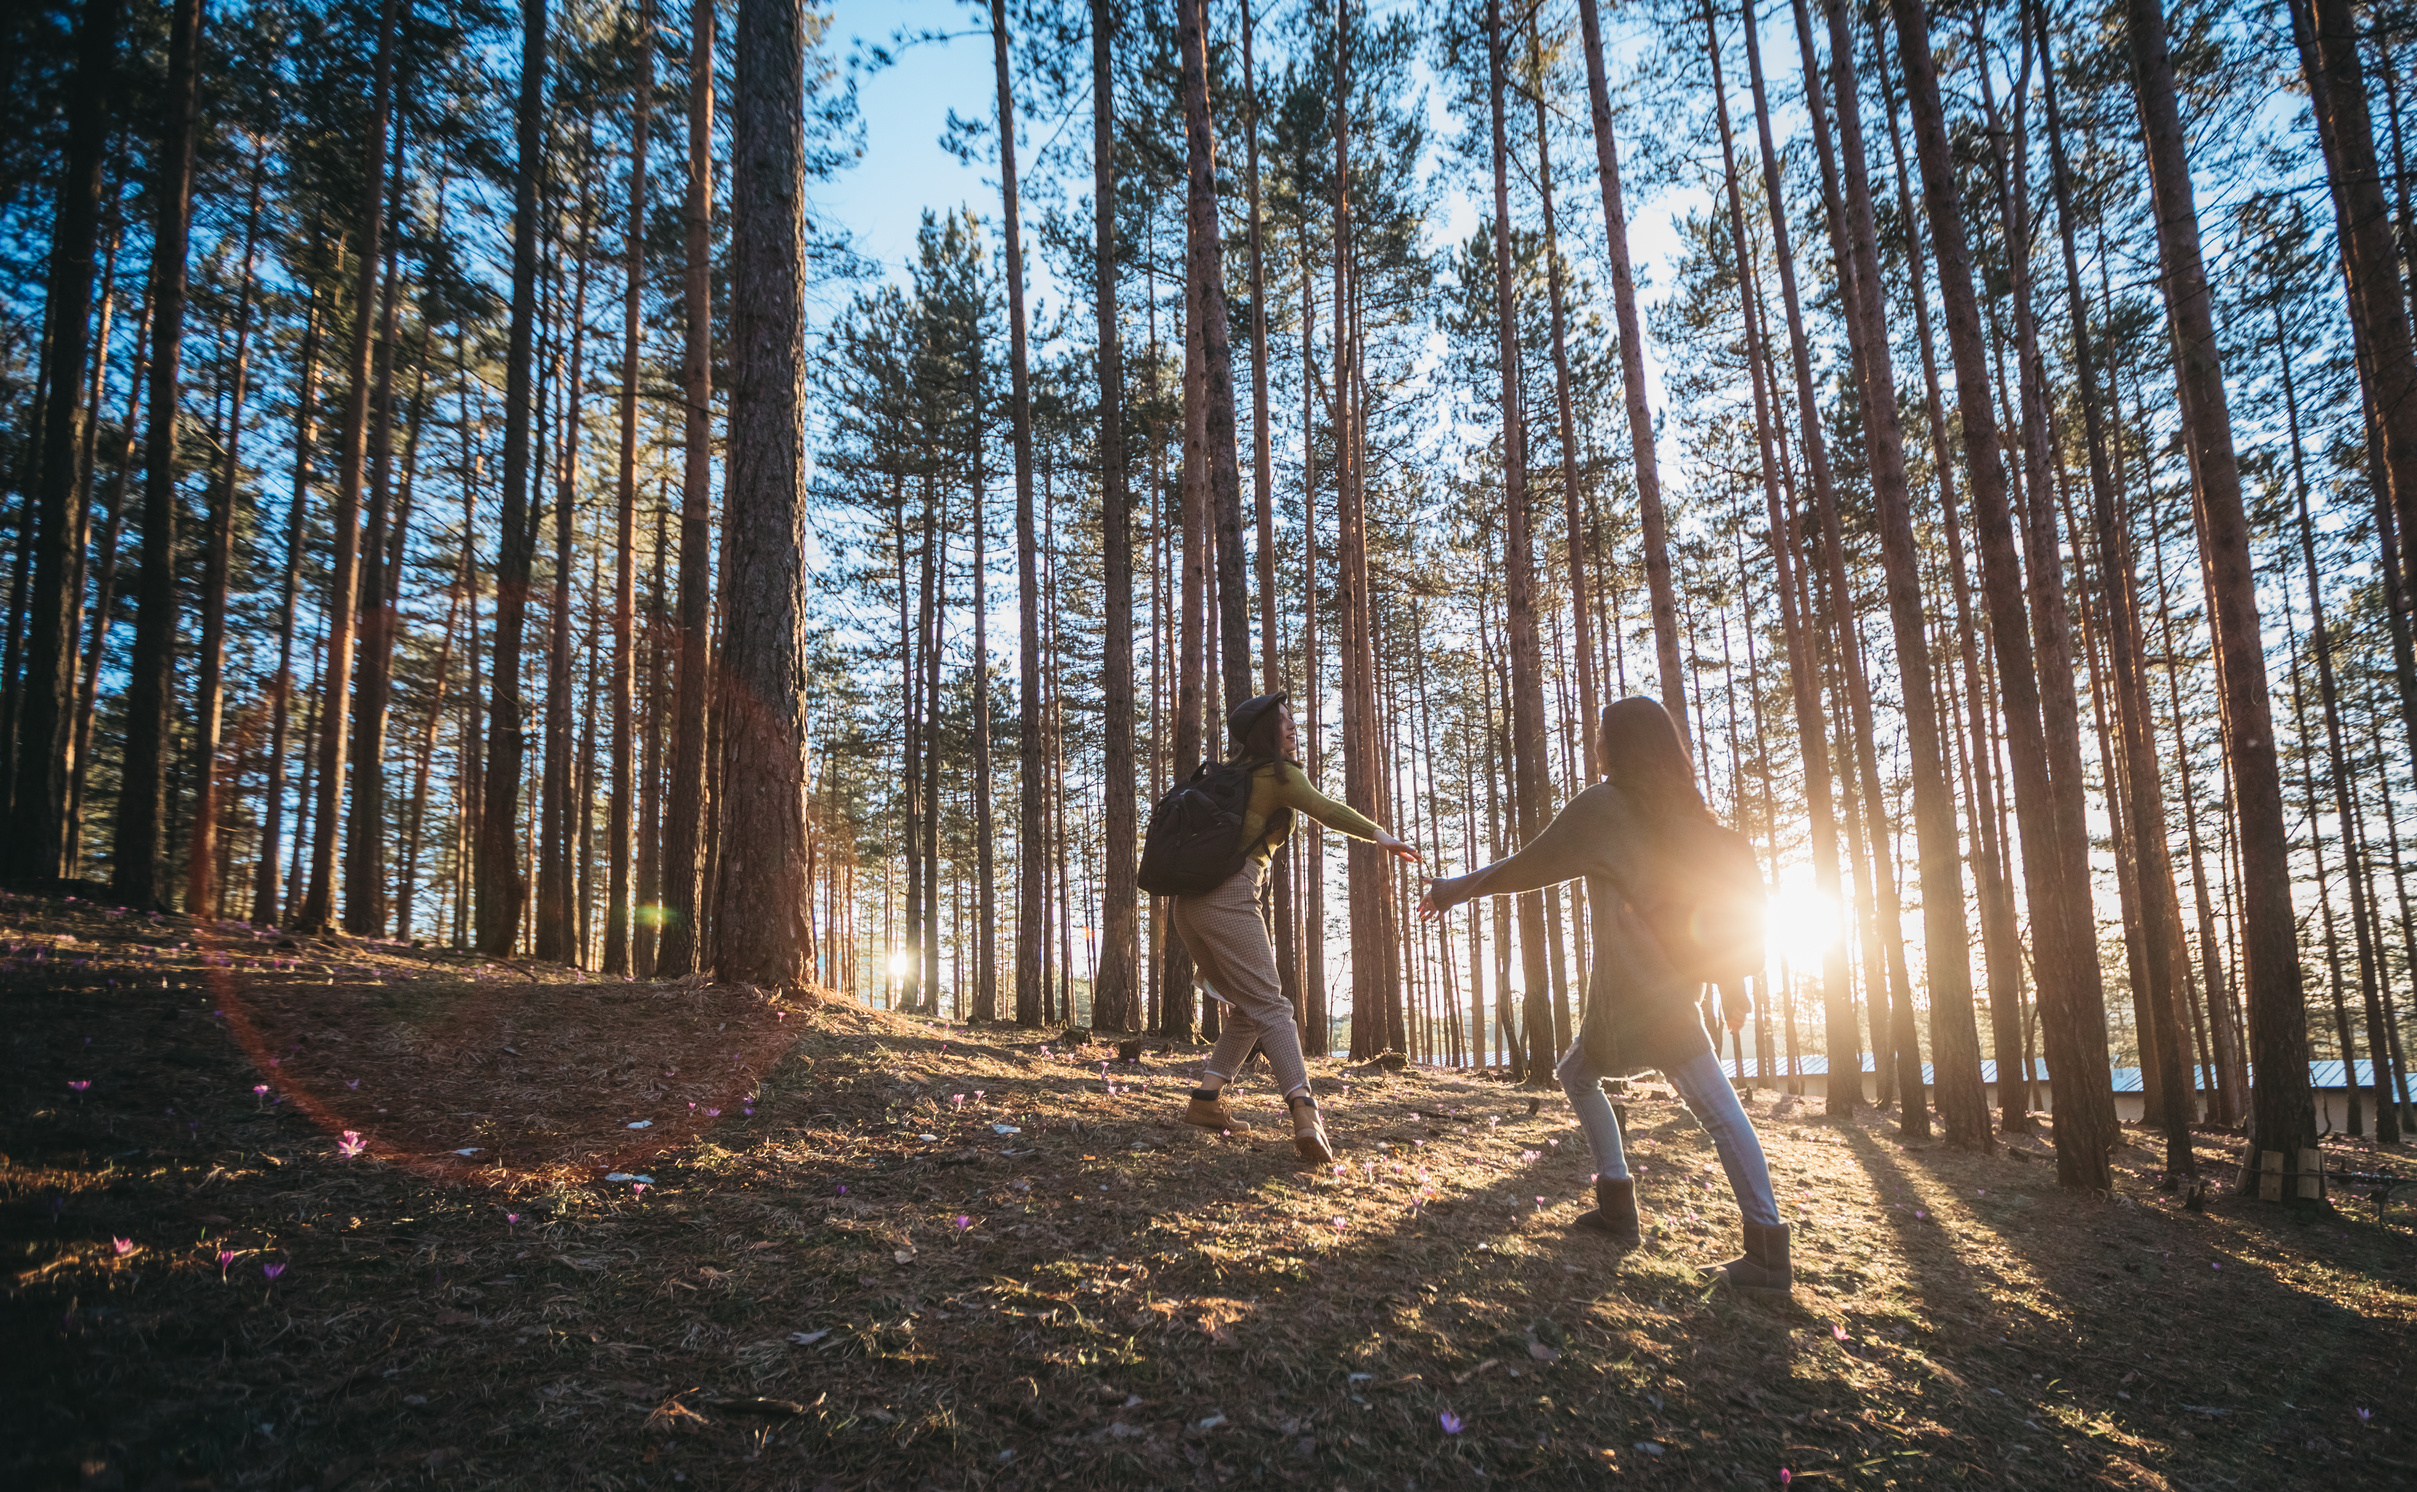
column 608, row 1234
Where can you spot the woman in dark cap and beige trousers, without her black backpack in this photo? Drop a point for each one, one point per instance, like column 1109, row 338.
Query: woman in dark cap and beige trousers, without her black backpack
column 1229, row 939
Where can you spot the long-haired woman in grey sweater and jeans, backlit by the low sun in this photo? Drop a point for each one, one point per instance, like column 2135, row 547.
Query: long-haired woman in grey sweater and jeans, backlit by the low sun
column 1633, row 838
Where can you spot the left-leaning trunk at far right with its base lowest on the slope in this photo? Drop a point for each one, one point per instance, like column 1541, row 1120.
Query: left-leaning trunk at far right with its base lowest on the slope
column 2283, row 1109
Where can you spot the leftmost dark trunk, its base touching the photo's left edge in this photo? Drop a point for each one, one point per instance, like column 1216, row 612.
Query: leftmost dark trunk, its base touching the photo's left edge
column 54, row 521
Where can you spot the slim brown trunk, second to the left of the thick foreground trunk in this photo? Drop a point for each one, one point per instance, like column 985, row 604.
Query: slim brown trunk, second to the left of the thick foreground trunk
column 625, row 596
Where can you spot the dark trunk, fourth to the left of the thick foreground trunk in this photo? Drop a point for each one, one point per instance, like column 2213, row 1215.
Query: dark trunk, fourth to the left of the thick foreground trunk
column 502, row 886
